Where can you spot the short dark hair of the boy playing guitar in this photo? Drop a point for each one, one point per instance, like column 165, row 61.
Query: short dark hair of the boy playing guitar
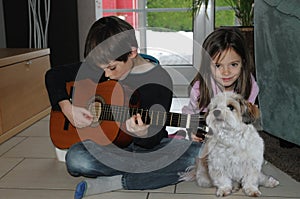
column 110, row 38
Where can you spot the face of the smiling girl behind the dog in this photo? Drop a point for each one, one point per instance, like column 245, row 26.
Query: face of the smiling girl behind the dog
column 226, row 68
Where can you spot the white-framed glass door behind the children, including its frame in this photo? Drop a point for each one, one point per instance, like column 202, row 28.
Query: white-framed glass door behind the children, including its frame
column 165, row 31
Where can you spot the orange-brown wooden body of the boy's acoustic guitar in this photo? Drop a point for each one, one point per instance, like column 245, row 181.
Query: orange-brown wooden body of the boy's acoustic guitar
column 90, row 95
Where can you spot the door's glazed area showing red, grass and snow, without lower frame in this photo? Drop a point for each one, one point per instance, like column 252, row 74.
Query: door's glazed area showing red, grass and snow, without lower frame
column 164, row 28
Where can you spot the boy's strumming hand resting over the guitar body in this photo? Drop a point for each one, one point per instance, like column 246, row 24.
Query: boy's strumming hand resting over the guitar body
column 78, row 116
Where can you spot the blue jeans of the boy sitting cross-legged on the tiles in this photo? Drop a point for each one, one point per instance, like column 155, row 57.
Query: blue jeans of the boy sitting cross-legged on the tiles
column 140, row 168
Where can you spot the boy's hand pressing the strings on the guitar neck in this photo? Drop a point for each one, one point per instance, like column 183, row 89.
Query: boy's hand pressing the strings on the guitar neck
column 136, row 126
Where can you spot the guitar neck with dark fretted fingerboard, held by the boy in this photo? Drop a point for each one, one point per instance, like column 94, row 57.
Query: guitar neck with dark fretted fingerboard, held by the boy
column 157, row 118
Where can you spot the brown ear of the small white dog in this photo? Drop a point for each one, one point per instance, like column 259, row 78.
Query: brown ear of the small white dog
column 250, row 112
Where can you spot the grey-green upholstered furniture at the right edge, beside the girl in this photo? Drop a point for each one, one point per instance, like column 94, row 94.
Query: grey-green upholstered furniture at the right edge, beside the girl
column 277, row 42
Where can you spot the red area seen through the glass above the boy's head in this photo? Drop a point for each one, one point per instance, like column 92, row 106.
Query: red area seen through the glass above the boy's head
column 130, row 17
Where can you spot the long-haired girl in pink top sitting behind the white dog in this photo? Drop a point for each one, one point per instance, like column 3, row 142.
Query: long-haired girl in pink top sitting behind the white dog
column 226, row 66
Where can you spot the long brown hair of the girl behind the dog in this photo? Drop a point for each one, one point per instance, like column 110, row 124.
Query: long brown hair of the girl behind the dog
column 218, row 41
